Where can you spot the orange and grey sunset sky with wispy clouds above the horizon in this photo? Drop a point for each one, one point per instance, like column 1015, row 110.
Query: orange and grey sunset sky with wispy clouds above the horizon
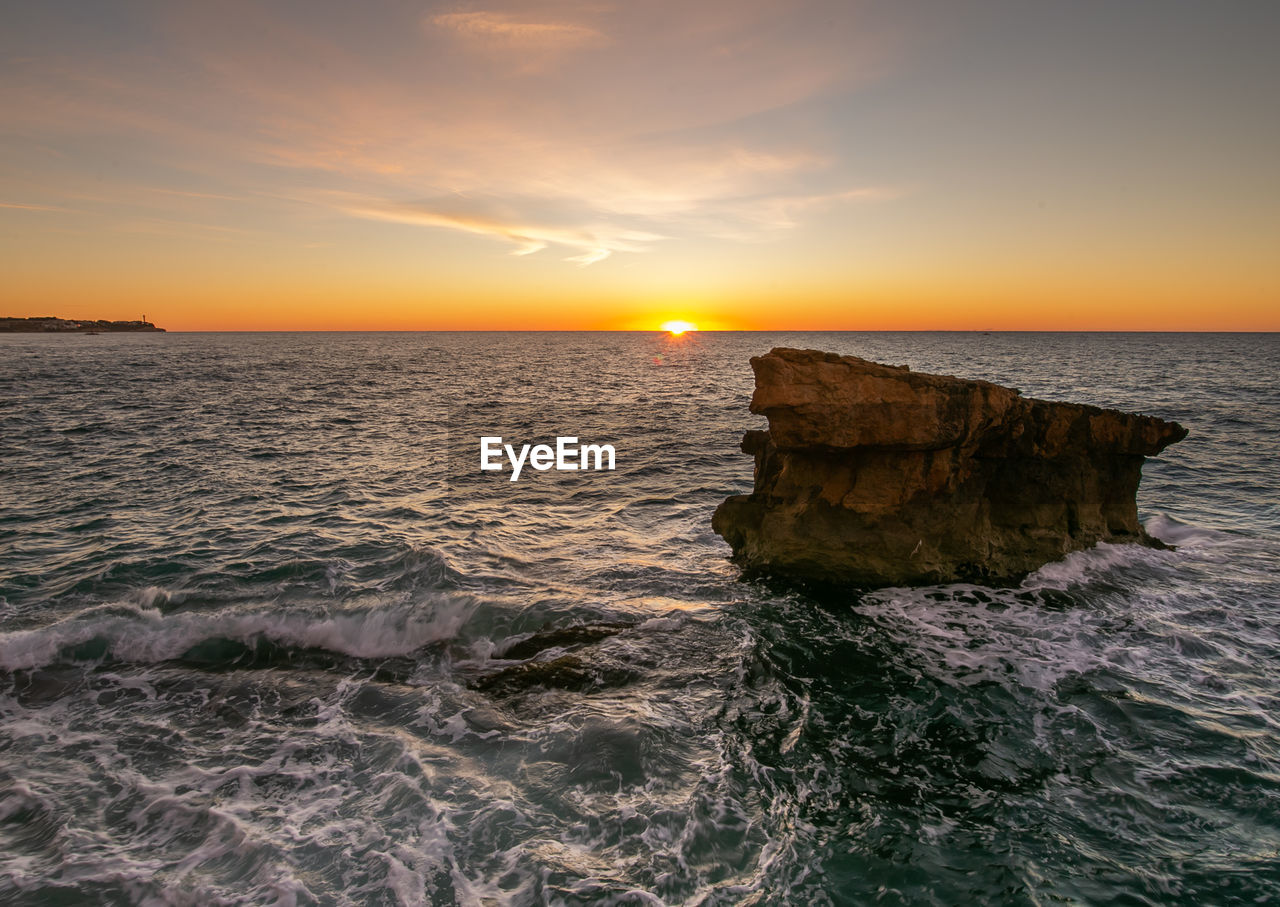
column 563, row 164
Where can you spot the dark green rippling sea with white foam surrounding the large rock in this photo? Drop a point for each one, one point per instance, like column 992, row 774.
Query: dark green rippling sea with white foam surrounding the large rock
column 269, row 636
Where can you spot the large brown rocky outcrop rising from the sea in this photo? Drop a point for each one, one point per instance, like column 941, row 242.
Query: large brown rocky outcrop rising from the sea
column 880, row 477
